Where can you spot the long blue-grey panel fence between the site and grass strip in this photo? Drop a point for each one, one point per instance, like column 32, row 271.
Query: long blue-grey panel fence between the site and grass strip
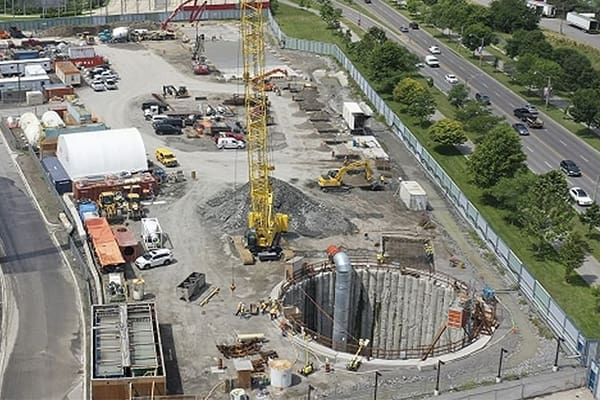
column 546, row 306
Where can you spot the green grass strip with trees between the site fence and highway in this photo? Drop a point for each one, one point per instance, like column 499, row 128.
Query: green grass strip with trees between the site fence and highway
column 575, row 297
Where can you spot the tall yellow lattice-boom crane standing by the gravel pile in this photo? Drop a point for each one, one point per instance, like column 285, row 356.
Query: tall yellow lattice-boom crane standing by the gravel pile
column 264, row 225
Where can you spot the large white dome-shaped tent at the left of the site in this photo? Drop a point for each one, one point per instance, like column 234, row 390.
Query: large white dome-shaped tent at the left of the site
column 102, row 152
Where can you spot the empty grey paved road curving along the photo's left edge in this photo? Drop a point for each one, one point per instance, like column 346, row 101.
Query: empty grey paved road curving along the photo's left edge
column 42, row 360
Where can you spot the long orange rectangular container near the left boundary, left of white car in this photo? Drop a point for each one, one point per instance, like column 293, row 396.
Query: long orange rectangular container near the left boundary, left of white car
column 107, row 251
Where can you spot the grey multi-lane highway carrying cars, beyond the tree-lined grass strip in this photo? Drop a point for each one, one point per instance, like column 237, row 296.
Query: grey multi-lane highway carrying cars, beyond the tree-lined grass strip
column 544, row 147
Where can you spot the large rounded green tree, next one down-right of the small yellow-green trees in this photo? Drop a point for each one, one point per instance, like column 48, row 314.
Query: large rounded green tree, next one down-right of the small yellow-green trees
column 498, row 155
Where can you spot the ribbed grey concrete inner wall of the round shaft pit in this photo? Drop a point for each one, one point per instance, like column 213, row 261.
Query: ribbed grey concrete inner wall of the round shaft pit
column 398, row 313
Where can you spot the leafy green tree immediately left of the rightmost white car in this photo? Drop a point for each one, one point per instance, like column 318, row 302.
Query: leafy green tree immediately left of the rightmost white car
column 546, row 212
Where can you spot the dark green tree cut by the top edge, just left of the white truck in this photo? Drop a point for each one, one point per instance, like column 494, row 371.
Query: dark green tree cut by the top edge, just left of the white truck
column 510, row 15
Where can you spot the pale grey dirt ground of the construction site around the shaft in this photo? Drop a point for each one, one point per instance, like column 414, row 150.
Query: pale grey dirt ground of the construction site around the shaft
column 199, row 213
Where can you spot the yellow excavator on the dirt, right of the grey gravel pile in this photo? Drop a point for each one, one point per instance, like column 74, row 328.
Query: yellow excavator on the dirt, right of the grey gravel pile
column 334, row 179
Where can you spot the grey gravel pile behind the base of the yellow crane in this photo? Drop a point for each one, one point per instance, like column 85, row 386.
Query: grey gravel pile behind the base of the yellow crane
column 308, row 217
